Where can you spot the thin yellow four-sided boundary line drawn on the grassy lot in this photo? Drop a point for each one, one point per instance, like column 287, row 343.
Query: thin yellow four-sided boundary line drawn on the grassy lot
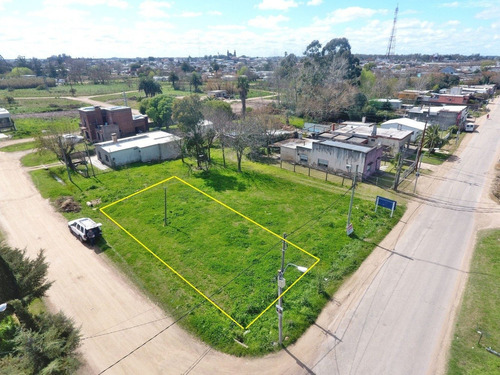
column 182, row 277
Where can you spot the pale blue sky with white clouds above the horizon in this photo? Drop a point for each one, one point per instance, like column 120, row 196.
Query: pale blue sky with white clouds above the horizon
column 181, row 28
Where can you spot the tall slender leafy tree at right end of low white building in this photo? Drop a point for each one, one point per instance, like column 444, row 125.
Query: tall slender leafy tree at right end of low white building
column 187, row 112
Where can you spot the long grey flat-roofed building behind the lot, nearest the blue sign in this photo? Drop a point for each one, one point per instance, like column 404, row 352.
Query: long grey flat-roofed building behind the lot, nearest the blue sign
column 336, row 157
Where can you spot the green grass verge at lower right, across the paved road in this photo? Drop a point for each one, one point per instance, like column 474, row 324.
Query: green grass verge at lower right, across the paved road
column 480, row 311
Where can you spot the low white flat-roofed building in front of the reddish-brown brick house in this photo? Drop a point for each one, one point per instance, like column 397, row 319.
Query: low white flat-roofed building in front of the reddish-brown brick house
column 154, row 146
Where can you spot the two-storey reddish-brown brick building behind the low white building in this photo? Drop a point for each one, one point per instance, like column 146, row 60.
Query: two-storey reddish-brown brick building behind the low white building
column 98, row 123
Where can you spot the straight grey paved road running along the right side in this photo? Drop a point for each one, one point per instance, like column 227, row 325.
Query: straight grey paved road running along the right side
column 399, row 327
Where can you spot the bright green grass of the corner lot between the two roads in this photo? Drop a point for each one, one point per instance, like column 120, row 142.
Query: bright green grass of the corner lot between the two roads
column 233, row 262
